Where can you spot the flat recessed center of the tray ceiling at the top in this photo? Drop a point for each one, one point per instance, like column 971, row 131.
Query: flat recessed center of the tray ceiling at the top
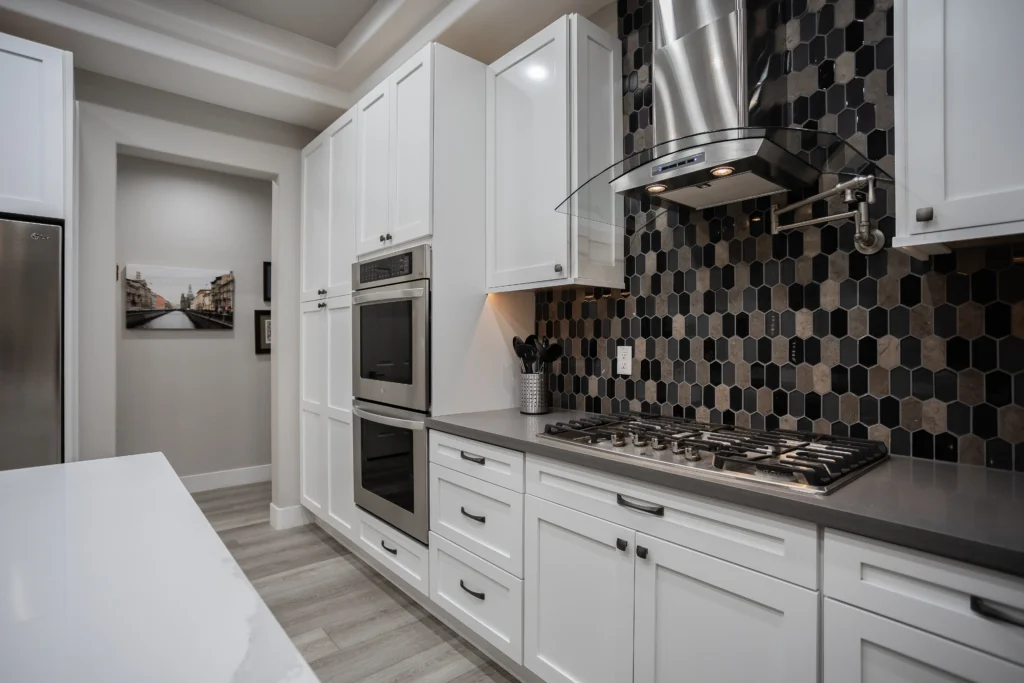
column 326, row 22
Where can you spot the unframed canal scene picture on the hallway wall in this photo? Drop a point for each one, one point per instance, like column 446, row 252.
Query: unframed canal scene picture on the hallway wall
column 160, row 297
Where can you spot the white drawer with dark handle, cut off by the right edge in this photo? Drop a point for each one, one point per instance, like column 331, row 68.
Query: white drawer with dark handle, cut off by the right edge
column 928, row 592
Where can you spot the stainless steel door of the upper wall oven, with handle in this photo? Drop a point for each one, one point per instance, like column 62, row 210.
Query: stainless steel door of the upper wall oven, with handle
column 392, row 346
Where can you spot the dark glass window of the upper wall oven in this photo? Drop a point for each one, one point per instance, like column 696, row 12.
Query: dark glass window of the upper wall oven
column 387, row 343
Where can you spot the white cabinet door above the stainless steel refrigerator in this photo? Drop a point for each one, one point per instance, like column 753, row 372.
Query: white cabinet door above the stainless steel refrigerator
column 32, row 129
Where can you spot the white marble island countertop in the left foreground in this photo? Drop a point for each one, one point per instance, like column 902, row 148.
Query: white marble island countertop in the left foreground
column 110, row 574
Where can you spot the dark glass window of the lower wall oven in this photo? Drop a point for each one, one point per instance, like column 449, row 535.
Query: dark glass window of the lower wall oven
column 388, row 462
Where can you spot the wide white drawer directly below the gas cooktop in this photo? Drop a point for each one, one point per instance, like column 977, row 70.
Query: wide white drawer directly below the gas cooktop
column 777, row 546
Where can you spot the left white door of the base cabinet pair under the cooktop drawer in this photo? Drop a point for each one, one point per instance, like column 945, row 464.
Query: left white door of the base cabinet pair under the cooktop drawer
column 578, row 607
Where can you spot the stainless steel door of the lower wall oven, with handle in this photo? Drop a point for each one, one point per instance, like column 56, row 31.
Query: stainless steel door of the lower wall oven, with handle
column 391, row 466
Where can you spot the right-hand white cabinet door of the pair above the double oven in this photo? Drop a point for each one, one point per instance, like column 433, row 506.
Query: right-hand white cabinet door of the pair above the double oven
column 412, row 136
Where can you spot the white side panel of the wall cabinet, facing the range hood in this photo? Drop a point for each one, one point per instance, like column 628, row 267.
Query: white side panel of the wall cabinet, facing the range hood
column 598, row 144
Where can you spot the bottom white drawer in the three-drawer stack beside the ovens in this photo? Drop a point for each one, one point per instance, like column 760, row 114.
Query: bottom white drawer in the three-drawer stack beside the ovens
column 495, row 613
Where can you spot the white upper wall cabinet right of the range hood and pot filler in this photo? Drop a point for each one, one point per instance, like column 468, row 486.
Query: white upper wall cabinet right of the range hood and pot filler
column 959, row 135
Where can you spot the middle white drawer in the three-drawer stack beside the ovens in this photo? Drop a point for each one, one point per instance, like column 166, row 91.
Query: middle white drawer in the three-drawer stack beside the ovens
column 482, row 518
